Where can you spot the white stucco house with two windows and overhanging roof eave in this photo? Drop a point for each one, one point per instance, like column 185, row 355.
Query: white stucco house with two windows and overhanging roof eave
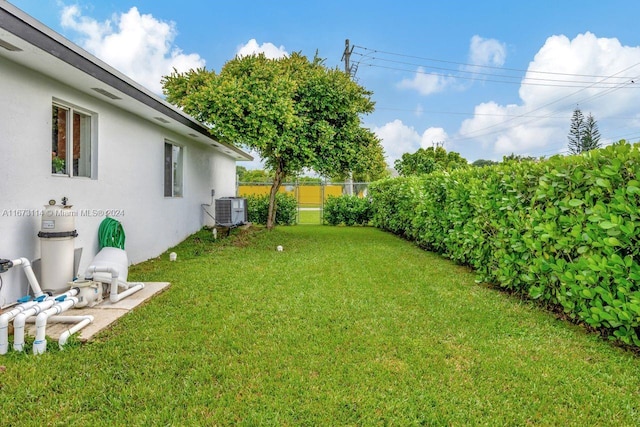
column 72, row 126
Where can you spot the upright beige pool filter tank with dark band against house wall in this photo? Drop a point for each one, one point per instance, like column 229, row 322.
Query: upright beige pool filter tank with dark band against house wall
column 56, row 234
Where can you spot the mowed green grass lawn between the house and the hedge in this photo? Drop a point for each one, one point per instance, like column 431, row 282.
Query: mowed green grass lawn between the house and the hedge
column 346, row 326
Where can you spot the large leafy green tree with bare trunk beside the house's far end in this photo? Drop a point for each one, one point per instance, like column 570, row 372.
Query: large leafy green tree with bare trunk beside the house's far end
column 296, row 113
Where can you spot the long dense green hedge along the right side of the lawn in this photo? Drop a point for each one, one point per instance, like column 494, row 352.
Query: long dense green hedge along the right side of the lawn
column 565, row 231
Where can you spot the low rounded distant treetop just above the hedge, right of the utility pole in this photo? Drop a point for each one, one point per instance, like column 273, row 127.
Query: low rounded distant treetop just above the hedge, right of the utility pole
column 428, row 160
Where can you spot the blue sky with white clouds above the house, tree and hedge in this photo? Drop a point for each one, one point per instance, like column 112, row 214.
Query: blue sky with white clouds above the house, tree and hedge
column 486, row 78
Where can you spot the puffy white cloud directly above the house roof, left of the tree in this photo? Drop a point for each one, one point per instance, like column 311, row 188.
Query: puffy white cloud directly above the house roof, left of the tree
column 138, row 45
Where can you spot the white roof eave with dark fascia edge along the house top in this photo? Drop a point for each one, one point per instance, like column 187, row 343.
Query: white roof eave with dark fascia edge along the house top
column 67, row 61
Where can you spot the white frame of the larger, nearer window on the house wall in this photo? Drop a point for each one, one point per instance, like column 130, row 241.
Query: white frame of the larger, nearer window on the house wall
column 85, row 165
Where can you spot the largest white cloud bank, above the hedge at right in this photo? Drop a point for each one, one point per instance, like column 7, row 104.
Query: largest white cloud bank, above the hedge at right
column 539, row 124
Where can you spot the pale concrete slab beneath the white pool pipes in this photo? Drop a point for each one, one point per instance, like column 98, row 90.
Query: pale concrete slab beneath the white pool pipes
column 104, row 314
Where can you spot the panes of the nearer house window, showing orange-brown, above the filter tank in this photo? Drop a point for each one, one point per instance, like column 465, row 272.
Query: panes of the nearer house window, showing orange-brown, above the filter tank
column 70, row 142
